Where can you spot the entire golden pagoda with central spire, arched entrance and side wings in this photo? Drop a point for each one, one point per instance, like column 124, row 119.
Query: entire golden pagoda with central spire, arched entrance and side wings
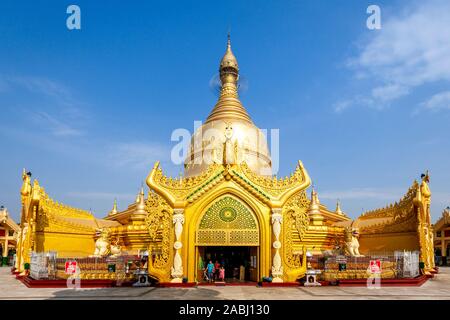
column 228, row 203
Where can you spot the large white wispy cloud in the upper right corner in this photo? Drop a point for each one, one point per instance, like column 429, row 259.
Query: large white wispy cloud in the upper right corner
column 412, row 49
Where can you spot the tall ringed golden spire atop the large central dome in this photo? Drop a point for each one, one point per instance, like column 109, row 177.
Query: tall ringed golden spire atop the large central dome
column 229, row 106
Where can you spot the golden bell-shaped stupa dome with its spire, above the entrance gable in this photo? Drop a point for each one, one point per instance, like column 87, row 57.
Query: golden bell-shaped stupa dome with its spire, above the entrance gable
column 228, row 135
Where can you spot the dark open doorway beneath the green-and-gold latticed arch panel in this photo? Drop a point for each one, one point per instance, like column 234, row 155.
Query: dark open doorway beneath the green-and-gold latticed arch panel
column 240, row 262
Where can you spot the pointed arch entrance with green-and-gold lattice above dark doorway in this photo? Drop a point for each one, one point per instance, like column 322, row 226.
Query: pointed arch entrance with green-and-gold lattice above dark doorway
column 228, row 233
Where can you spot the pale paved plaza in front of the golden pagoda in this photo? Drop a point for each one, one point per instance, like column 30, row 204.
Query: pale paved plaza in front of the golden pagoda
column 434, row 289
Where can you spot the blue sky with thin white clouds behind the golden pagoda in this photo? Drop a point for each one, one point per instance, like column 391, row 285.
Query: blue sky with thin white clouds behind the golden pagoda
column 89, row 111
